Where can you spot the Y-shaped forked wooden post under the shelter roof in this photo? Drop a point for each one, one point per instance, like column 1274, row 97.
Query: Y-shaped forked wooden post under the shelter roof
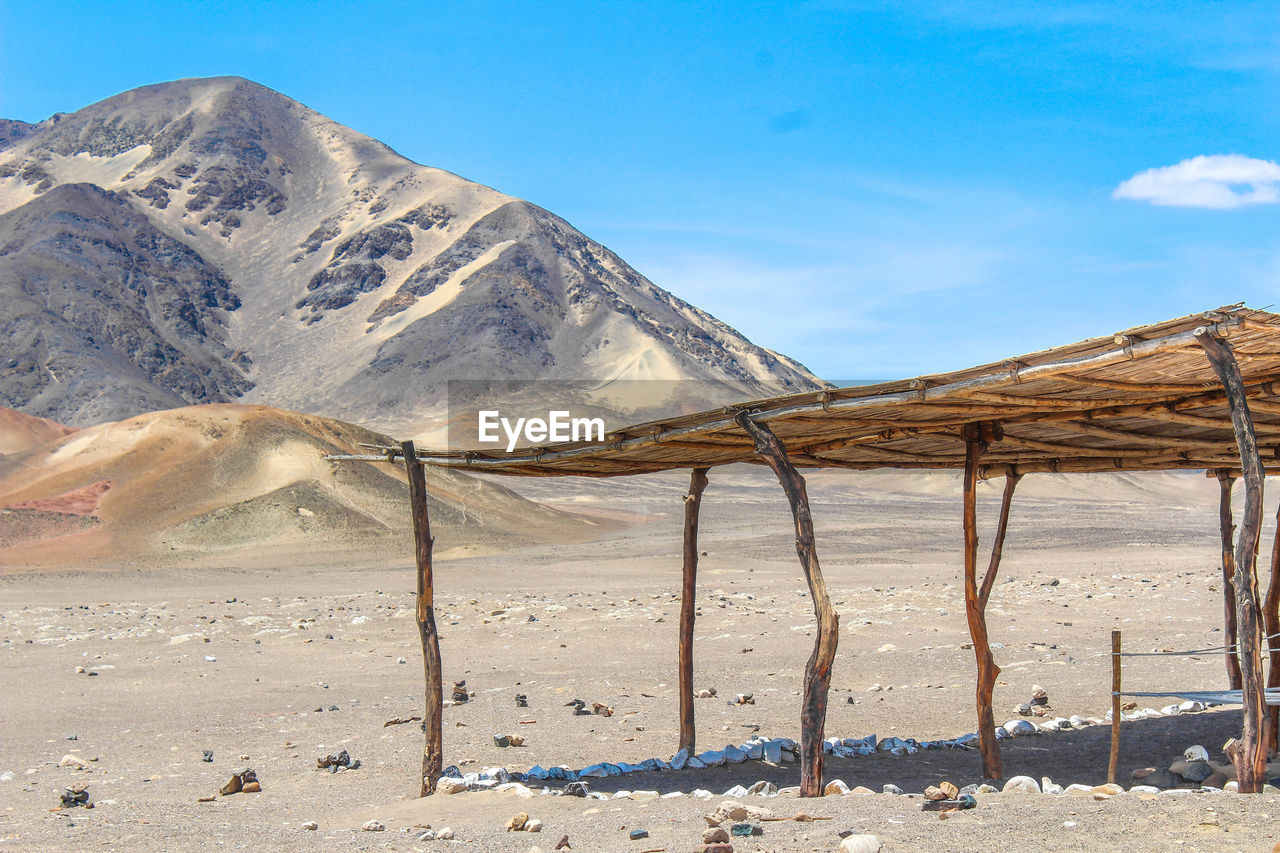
column 977, row 439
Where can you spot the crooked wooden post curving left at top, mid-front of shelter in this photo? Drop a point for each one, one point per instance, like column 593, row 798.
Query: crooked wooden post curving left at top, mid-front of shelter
column 817, row 673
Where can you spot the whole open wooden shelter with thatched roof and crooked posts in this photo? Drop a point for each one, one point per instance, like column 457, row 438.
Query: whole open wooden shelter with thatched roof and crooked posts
column 1199, row 393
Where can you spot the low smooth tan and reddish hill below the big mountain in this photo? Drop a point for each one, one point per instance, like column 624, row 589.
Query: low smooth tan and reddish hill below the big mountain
column 221, row 478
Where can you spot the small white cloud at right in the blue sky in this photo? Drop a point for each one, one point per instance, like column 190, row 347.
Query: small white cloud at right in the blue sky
column 1219, row 183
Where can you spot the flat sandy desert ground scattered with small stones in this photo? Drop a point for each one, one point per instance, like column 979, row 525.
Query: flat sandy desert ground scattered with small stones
column 275, row 658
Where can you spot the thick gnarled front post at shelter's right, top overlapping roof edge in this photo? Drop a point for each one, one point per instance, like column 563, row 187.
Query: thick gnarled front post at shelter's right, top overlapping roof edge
column 1250, row 759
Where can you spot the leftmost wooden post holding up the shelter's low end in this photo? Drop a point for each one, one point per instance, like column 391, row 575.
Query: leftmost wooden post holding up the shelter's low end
column 433, row 755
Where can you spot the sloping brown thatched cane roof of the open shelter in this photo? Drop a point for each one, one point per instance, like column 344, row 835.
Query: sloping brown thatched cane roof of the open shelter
column 1145, row 399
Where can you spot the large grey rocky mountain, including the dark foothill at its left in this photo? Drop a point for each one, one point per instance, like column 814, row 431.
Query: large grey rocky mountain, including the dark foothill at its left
column 212, row 240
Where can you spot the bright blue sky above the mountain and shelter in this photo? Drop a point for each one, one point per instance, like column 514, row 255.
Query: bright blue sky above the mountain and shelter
column 879, row 190
